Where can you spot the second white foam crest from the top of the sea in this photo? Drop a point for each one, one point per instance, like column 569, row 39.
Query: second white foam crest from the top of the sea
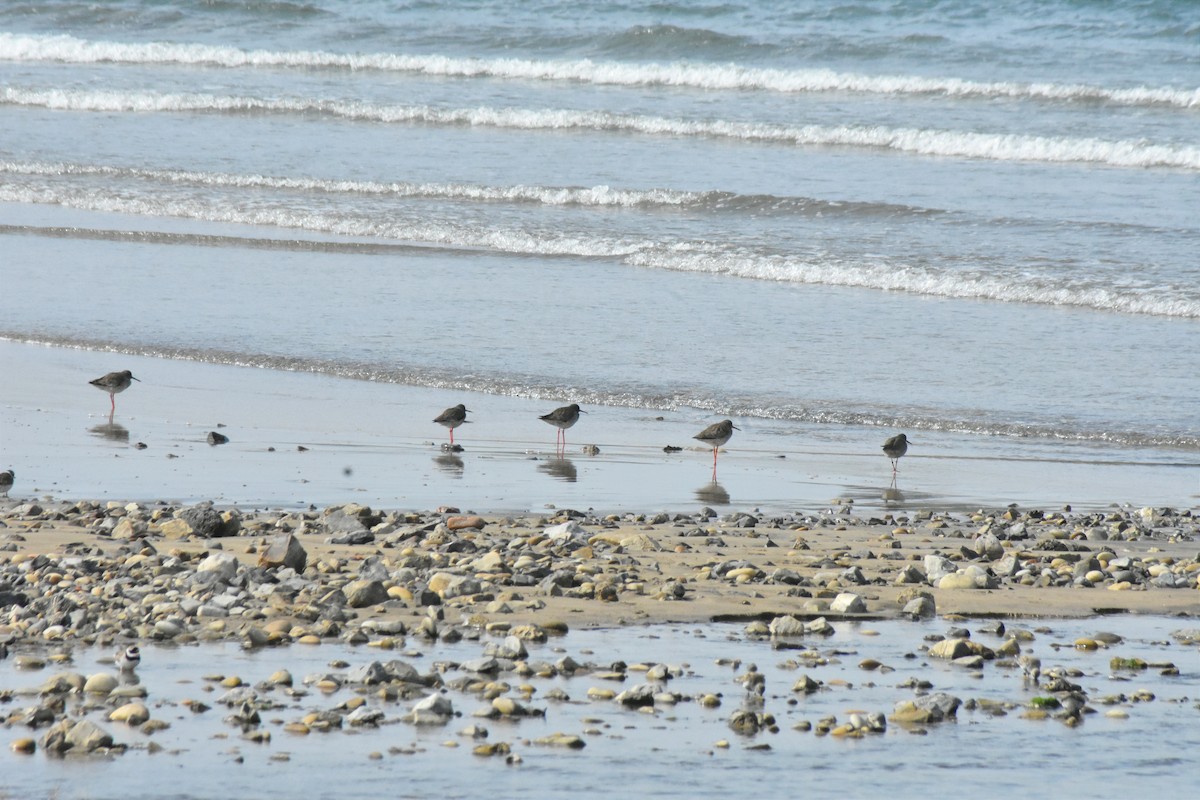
column 964, row 145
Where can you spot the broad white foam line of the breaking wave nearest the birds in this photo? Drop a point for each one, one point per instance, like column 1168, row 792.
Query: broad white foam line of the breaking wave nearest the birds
column 710, row 257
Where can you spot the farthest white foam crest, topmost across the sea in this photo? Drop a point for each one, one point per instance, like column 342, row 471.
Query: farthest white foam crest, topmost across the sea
column 698, row 76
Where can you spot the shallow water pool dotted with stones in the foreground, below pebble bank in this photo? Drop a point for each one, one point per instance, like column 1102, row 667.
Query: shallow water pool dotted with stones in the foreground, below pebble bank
column 669, row 751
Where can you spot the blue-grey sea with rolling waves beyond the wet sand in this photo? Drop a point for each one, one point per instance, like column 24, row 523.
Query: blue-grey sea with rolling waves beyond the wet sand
column 976, row 224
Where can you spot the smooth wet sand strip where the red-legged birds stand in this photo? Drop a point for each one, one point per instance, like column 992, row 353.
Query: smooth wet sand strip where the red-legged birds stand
column 299, row 440
